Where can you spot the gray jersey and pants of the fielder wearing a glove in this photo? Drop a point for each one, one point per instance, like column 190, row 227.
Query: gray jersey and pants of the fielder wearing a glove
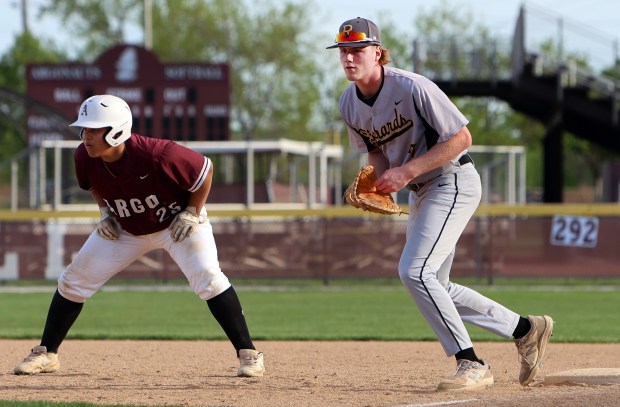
column 407, row 117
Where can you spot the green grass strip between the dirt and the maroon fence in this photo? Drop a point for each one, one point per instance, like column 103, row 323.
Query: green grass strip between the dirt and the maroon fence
column 344, row 310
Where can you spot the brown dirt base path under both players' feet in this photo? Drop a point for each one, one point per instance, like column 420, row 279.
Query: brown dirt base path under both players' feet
column 313, row 374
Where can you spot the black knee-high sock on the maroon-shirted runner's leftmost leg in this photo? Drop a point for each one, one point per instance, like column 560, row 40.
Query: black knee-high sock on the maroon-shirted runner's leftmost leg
column 60, row 317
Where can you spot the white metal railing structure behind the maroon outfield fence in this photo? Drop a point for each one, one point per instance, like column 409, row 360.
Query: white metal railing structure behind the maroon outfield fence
column 48, row 181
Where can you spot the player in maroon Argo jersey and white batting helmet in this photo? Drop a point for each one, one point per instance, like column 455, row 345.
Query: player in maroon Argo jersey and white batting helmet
column 151, row 194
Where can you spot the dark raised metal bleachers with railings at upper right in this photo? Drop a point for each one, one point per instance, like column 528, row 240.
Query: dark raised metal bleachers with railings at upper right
column 541, row 75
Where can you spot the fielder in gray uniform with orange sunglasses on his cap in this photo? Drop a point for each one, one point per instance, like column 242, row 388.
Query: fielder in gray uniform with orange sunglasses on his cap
column 417, row 139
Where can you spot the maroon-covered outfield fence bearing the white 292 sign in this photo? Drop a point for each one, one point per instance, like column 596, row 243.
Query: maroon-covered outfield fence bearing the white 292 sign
column 325, row 247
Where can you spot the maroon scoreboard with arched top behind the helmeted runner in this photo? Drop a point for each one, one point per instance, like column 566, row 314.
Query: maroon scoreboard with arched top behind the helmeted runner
column 179, row 101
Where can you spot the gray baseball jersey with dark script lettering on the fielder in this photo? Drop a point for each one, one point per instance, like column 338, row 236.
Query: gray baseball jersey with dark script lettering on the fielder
column 409, row 116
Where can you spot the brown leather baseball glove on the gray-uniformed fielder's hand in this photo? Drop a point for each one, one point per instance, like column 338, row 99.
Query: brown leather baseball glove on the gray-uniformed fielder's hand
column 363, row 194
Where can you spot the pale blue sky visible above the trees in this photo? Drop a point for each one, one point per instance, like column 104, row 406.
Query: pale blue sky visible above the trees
column 595, row 18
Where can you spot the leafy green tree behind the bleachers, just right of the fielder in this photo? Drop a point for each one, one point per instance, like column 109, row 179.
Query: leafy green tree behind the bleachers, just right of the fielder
column 492, row 122
